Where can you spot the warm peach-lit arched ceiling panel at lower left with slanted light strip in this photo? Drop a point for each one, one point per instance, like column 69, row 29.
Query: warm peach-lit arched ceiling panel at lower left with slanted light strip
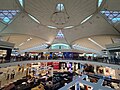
column 23, row 41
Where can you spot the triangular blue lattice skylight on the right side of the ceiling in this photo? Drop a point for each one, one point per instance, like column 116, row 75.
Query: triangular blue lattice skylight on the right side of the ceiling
column 113, row 16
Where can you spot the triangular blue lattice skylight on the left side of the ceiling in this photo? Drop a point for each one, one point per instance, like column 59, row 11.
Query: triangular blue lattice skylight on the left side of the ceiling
column 6, row 16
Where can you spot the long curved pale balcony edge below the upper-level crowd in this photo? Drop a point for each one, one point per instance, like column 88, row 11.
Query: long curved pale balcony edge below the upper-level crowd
column 76, row 61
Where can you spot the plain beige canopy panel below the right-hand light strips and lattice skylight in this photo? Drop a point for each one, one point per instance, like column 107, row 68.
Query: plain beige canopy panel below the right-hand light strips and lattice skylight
column 97, row 25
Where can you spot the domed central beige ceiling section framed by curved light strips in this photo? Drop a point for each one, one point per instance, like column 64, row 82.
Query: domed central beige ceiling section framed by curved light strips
column 75, row 10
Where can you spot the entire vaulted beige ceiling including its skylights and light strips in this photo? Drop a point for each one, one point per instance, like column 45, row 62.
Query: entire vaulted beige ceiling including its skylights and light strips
column 90, row 23
